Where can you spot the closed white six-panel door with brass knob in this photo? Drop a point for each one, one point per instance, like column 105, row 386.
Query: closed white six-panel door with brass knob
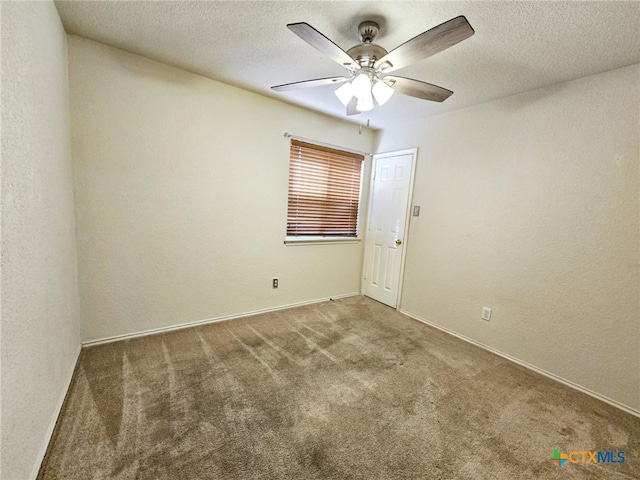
column 387, row 225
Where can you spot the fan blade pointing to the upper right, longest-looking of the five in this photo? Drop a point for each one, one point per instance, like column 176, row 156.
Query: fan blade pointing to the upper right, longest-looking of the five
column 426, row 44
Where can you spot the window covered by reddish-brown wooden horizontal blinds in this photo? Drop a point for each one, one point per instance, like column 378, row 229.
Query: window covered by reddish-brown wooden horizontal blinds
column 324, row 191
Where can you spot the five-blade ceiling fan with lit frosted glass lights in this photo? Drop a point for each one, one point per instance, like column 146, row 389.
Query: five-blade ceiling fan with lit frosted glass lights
column 368, row 65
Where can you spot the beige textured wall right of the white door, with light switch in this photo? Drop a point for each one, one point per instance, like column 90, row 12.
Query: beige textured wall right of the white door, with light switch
column 530, row 207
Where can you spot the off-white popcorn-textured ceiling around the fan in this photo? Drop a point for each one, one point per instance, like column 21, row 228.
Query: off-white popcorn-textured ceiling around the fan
column 517, row 47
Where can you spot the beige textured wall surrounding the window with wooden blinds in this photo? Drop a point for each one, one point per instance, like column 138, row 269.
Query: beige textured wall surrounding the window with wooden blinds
column 181, row 194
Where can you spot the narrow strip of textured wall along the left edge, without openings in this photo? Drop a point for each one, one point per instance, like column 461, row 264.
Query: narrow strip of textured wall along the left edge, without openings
column 40, row 308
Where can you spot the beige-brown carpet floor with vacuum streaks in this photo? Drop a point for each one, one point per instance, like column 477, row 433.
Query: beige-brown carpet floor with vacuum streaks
column 340, row 390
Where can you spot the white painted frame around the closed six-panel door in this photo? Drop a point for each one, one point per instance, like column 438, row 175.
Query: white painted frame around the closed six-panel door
column 407, row 151
